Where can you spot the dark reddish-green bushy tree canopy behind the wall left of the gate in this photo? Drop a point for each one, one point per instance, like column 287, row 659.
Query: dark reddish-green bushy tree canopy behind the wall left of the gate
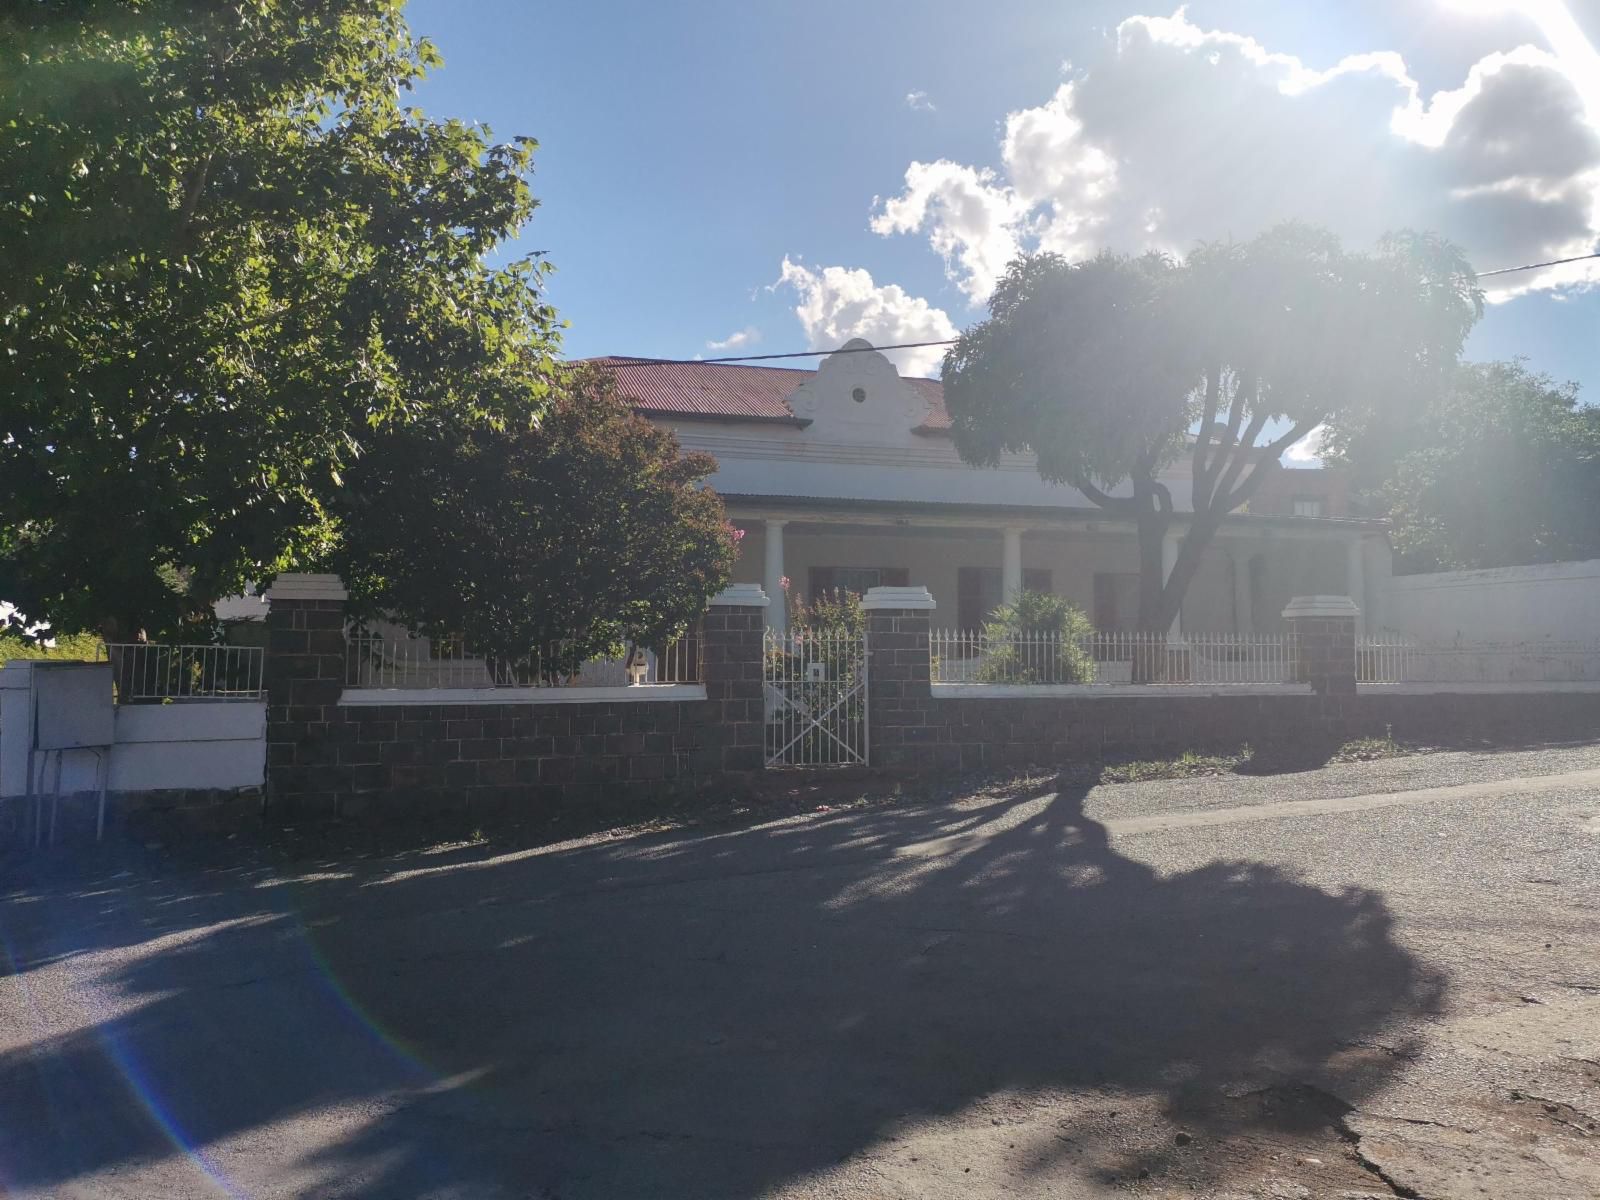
column 585, row 534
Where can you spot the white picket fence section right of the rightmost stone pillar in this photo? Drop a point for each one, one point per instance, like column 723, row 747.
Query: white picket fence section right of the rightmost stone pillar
column 1398, row 658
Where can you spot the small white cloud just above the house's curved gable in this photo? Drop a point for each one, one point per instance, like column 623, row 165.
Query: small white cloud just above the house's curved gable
column 841, row 303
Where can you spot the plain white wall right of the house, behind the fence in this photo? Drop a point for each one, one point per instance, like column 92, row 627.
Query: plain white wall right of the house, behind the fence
column 1558, row 601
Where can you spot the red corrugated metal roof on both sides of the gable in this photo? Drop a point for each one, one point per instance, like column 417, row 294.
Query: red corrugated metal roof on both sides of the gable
column 730, row 391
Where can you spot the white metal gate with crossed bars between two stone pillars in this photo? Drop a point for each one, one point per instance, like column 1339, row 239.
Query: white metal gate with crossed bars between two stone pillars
column 815, row 687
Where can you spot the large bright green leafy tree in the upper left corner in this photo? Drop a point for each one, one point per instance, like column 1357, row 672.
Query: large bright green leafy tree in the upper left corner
column 233, row 258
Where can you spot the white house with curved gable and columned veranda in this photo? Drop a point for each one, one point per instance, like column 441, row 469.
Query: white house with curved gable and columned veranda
column 847, row 478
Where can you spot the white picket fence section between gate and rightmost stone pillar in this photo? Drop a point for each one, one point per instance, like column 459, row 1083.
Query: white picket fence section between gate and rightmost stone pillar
column 1113, row 658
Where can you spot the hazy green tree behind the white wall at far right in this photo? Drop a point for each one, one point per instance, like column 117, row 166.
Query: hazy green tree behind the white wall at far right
column 1500, row 470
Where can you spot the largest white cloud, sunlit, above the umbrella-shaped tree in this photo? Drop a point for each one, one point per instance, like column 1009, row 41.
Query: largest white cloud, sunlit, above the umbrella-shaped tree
column 1185, row 134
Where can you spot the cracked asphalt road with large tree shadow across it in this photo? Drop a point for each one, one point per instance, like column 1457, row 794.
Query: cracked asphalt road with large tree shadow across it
column 1370, row 980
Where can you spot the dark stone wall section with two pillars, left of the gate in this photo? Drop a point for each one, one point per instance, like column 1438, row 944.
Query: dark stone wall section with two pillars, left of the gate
column 487, row 761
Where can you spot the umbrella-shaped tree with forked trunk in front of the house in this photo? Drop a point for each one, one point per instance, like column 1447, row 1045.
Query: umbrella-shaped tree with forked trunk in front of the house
column 1111, row 370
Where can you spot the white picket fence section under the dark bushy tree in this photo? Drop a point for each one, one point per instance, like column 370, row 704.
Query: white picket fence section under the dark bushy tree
column 401, row 662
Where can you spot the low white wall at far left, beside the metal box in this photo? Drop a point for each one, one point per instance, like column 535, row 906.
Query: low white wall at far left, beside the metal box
column 191, row 745
